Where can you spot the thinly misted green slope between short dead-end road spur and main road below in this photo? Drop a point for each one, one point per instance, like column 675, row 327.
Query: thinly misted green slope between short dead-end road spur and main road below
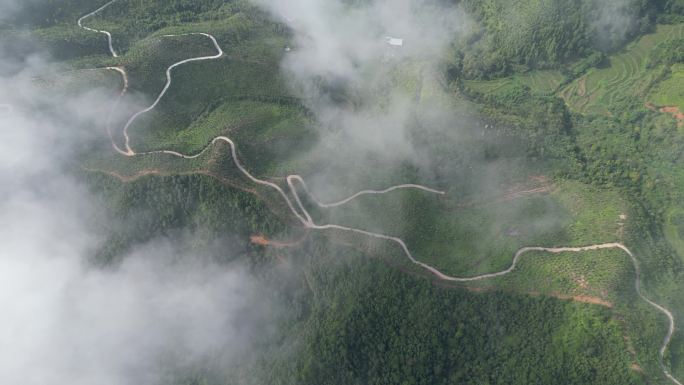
column 487, row 234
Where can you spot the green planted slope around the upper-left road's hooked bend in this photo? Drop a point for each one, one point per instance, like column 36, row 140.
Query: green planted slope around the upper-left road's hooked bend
column 247, row 72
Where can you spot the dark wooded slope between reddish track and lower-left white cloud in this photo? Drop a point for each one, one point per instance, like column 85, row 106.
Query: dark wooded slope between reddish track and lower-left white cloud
column 156, row 207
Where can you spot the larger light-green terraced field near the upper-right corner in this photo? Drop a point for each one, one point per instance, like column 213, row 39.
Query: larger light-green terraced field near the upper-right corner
column 627, row 75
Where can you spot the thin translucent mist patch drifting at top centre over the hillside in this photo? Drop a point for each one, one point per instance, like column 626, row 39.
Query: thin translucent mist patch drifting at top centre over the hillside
column 373, row 101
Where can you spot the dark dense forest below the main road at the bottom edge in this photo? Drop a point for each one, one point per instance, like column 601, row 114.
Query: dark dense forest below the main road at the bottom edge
column 370, row 324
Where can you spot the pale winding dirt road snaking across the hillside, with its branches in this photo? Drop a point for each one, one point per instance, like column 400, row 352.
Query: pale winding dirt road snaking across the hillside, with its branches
column 302, row 214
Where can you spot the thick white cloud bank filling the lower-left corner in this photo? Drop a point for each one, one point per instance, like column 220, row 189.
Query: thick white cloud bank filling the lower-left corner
column 65, row 321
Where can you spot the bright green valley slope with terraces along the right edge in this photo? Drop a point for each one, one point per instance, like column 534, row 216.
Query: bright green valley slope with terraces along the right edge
column 622, row 140
